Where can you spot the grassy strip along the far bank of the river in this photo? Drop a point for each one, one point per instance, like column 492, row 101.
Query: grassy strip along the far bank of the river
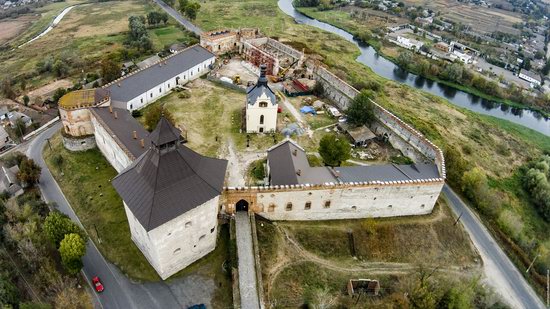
column 343, row 20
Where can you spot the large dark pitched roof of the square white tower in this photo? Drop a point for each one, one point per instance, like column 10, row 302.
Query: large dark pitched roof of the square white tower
column 162, row 185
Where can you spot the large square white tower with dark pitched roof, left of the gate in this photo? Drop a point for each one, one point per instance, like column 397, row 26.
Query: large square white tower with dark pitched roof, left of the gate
column 171, row 197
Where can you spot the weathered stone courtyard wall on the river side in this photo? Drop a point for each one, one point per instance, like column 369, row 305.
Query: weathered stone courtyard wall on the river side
column 401, row 135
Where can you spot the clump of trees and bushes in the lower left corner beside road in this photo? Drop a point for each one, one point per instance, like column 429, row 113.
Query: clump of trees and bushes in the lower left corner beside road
column 29, row 273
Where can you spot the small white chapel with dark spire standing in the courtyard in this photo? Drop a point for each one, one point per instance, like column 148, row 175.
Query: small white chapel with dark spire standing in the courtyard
column 261, row 106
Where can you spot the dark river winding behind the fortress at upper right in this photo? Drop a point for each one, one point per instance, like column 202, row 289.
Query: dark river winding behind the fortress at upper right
column 390, row 70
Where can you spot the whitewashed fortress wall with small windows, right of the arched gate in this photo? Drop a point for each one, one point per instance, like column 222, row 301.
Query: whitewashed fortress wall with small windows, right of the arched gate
column 352, row 202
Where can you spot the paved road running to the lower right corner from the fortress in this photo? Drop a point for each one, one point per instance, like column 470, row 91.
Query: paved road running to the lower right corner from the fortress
column 502, row 274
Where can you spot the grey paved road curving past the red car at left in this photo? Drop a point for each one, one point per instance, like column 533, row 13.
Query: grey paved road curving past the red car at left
column 120, row 292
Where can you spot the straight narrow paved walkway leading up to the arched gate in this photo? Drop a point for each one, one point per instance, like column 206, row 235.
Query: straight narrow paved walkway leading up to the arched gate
column 247, row 268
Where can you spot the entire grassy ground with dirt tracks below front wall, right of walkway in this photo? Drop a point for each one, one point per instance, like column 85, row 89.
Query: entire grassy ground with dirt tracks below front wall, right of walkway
column 389, row 250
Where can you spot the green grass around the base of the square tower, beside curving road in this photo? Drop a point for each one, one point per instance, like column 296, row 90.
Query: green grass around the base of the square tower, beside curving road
column 100, row 208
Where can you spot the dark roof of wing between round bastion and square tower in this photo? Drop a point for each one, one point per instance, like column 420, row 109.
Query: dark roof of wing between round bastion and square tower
column 122, row 128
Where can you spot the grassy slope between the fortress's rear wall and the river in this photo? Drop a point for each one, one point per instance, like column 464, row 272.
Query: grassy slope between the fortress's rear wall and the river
column 496, row 146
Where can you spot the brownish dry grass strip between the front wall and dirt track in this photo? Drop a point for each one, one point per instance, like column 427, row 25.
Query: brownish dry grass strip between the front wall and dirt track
column 397, row 240
